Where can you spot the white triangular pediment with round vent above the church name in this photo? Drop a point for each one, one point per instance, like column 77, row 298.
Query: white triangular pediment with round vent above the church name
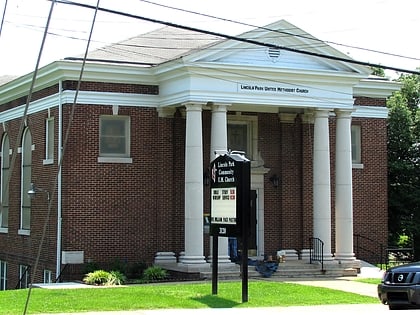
column 293, row 49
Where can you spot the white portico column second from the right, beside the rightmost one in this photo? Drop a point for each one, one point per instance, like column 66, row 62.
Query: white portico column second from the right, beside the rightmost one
column 321, row 181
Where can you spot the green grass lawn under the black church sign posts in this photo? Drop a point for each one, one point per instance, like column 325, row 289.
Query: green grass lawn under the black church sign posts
column 184, row 295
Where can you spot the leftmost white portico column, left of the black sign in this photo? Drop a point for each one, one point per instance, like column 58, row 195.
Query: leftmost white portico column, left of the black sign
column 194, row 249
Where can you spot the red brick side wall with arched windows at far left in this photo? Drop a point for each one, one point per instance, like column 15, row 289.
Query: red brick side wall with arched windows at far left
column 18, row 249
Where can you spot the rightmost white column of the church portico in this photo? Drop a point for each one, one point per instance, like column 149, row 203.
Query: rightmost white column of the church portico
column 343, row 188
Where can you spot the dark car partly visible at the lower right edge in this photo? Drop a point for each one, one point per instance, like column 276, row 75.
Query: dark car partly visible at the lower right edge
column 400, row 287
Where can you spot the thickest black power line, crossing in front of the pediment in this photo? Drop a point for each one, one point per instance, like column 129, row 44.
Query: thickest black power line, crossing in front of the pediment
column 245, row 40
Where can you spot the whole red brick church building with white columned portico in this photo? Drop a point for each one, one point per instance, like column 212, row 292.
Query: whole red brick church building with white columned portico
column 121, row 172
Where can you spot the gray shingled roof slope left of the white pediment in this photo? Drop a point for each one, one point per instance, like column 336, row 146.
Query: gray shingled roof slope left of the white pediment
column 155, row 47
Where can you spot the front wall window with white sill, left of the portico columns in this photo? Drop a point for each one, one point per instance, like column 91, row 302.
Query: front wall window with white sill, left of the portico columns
column 114, row 139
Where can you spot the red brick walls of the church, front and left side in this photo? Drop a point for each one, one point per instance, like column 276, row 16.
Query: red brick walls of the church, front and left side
column 129, row 212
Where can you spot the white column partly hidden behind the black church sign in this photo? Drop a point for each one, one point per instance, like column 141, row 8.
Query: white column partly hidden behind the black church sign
column 218, row 141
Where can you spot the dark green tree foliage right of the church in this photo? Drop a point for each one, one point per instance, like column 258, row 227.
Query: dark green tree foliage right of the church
column 404, row 161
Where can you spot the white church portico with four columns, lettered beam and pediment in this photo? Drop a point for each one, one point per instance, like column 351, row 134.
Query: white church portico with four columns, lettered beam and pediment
column 312, row 95
